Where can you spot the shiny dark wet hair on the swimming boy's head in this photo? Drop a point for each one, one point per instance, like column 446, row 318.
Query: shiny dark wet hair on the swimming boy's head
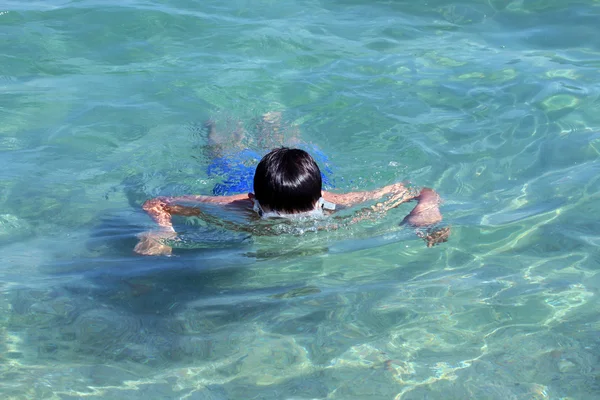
column 287, row 180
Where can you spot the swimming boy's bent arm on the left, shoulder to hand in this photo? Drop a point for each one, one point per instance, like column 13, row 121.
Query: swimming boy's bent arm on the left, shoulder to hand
column 161, row 210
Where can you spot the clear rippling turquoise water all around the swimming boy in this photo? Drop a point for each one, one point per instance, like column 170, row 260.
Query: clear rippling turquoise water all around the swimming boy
column 493, row 103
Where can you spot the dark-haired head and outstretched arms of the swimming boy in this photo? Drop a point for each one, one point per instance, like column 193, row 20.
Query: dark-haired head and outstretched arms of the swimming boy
column 288, row 184
